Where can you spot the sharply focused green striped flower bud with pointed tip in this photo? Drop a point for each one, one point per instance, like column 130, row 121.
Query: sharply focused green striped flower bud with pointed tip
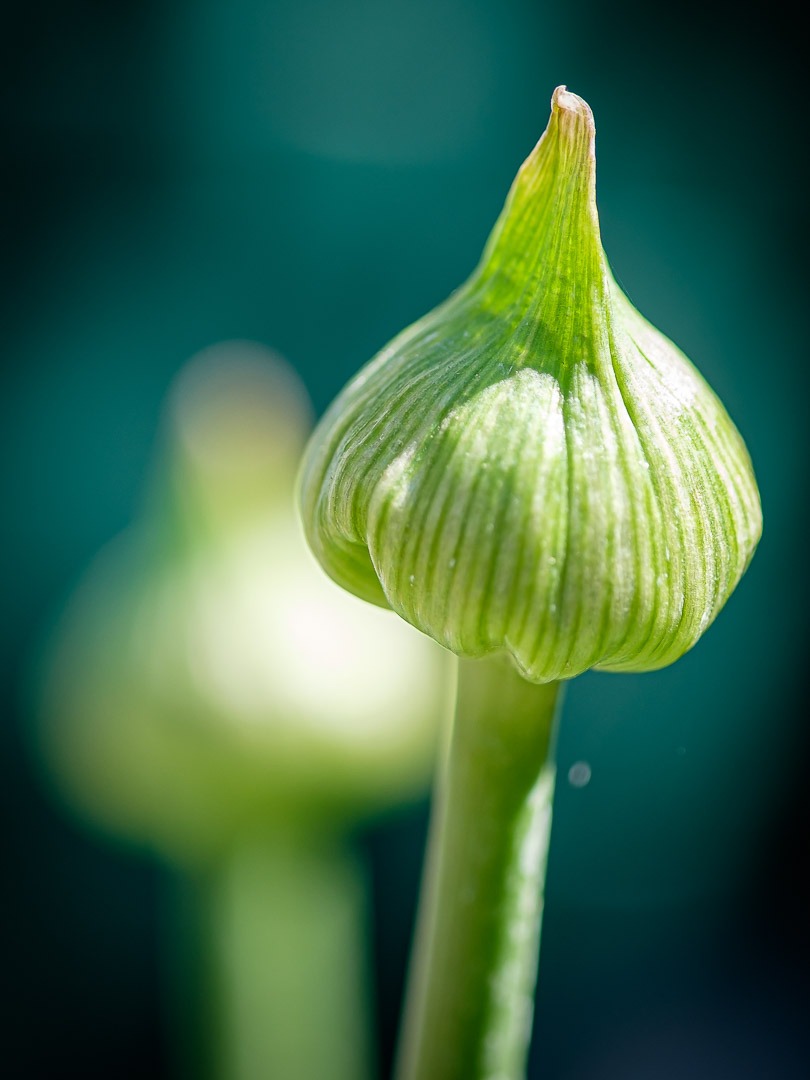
column 533, row 467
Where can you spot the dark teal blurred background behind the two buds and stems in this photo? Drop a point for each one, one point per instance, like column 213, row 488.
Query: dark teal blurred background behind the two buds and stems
column 314, row 175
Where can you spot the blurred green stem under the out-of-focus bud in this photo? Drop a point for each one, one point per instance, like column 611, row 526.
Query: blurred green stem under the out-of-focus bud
column 283, row 985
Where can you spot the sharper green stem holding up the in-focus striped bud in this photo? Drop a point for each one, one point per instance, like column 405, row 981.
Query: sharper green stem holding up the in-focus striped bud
column 470, row 998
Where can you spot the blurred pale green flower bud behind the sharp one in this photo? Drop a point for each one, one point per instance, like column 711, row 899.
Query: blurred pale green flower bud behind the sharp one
column 207, row 679
